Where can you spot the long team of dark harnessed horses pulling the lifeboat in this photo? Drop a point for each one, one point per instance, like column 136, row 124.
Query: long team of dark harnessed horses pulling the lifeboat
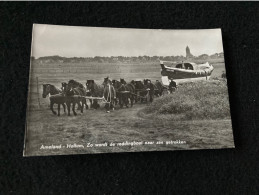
column 111, row 92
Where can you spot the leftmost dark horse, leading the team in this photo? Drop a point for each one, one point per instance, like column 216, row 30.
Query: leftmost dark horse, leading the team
column 56, row 97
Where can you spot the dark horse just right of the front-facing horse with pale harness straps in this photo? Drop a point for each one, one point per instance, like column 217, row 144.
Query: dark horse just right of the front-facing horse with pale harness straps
column 124, row 92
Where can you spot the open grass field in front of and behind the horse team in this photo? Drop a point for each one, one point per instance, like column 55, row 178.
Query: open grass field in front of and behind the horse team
column 121, row 125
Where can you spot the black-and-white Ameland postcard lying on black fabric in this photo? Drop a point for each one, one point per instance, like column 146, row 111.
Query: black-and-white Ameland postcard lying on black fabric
column 105, row 90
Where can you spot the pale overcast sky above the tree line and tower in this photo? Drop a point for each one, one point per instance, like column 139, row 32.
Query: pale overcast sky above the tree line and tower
column 71, row 41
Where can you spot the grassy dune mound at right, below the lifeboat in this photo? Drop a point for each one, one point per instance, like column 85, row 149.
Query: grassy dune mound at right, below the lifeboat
column 192, row 101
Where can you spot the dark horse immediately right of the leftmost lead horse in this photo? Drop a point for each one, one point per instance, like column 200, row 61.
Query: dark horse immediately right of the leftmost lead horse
column 73, row 96
